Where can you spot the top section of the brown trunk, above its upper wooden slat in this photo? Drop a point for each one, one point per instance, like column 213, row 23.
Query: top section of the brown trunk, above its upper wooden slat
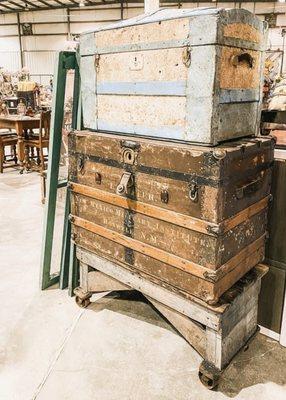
column 173, row 168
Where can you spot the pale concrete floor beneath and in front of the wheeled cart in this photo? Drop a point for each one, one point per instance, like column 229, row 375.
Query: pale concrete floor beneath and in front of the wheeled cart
column 115, row 349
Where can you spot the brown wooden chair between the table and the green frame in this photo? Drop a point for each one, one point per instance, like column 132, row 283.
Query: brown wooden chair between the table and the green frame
column 38, row 142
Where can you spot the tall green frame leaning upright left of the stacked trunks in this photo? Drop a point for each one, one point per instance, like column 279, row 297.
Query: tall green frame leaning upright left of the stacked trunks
column 66, row 60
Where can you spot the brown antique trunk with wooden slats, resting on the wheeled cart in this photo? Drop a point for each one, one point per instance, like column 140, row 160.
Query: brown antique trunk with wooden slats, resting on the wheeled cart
column 193, row 218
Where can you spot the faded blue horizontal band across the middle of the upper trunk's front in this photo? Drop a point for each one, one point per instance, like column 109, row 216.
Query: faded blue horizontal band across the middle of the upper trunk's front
column 143, row 88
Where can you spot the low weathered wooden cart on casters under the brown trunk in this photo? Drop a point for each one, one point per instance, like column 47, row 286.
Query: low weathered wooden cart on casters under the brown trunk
column 216, row 333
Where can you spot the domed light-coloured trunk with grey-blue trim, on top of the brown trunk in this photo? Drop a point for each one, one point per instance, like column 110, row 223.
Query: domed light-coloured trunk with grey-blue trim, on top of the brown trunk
column 188, row 75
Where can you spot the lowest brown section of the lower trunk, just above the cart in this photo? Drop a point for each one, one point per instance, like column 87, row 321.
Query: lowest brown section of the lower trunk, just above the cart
column 209, row 287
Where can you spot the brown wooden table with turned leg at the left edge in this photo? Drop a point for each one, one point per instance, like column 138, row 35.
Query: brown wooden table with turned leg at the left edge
column 20, row 124
